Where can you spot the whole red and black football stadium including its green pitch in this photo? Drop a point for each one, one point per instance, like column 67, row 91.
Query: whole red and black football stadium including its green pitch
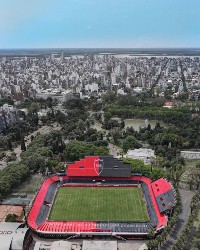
column 99, row 196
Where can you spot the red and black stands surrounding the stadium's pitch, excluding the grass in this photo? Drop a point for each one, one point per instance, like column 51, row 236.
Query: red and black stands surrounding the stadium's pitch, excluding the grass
column 98, row 171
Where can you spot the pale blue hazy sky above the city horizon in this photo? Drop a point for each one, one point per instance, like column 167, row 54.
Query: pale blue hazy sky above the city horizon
column 99, row 23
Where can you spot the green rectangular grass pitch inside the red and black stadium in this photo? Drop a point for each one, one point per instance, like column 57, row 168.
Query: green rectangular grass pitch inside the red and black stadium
column 98, row 204
